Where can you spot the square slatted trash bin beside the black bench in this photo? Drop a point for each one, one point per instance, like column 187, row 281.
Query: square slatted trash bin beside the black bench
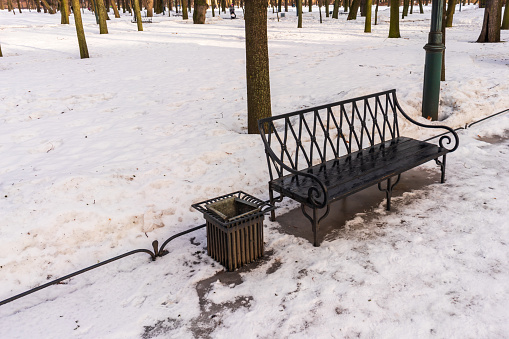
column 234, row 228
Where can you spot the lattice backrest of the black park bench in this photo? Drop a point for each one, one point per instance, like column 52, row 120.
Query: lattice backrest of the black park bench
column 315, row 135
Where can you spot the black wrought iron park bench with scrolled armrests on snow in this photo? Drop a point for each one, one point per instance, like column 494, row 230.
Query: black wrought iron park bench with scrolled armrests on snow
column 322, row 154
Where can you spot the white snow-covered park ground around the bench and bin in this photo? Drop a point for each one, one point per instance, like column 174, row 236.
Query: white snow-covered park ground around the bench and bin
column 104, row 155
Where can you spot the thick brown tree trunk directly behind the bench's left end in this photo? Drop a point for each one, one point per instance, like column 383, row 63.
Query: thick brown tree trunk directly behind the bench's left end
column 257, row 64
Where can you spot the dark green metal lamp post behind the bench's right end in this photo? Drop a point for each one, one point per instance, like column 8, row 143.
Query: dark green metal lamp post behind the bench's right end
column 433, row 63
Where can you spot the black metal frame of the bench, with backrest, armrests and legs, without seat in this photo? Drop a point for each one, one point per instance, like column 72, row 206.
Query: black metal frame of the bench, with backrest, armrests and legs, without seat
column 296, row 141
